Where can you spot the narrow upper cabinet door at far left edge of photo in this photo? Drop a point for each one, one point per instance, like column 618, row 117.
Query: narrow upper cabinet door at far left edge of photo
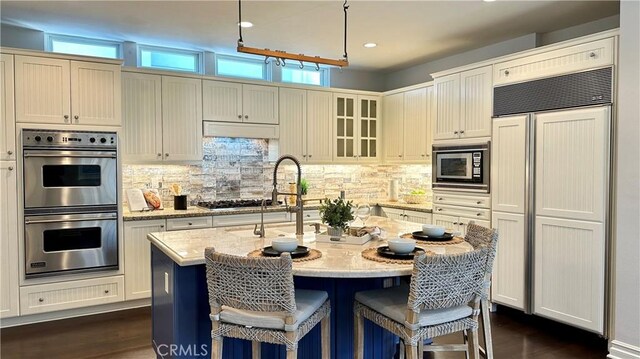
column 7, row 114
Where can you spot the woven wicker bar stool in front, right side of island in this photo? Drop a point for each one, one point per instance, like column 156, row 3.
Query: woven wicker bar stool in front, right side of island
column 443, row 297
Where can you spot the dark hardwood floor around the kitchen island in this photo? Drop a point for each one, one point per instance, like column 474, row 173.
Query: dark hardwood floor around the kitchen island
column 127, row 335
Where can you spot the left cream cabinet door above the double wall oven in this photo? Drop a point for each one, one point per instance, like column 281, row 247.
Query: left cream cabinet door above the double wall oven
column 42, row 90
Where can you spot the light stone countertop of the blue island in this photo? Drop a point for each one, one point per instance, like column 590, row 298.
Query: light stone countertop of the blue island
column 338, row 260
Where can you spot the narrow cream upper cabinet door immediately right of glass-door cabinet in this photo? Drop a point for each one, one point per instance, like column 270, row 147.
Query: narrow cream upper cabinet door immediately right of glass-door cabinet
column 392, row 125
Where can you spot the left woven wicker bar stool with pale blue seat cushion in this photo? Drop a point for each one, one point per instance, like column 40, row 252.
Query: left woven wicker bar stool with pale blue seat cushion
column 254, row 299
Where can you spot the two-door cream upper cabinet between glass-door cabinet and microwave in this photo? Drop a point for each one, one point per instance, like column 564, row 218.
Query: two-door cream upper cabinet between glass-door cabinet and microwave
column 407, row 125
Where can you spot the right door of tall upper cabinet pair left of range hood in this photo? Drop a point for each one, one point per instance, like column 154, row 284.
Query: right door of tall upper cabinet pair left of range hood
column 181, row 119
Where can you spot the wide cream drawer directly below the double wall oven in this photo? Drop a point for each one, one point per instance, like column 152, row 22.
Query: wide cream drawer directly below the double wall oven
column 68, row 295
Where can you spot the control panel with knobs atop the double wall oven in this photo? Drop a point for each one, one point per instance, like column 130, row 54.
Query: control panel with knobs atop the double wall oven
column 65, row 139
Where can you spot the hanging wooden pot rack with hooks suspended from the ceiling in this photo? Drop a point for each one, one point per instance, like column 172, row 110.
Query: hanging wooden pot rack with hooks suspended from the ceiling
column 281, row 56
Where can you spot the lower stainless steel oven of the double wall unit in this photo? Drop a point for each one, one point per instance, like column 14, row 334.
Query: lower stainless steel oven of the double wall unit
column 64, row 242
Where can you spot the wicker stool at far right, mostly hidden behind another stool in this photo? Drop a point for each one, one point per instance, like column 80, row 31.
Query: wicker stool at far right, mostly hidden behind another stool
column 479, row 237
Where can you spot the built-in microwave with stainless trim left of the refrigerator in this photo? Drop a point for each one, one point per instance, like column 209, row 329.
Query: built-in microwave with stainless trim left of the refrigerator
column 463, row 167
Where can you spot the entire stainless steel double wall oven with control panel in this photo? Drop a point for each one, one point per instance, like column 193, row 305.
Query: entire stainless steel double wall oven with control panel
column 70, row 201
